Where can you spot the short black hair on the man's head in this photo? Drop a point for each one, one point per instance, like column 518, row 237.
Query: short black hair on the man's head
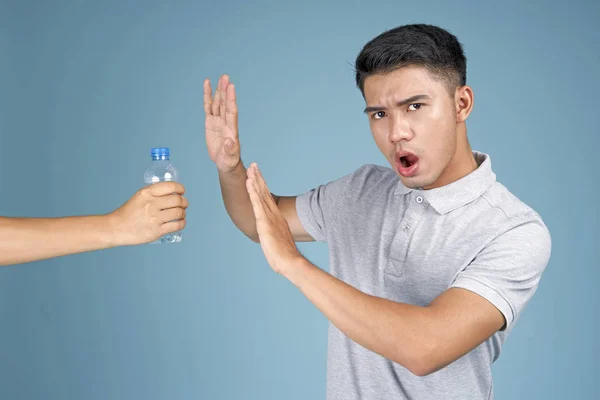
column 423, row 45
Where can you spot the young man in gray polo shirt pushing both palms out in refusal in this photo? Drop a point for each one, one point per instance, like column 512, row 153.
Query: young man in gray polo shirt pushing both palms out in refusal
column 431, row 261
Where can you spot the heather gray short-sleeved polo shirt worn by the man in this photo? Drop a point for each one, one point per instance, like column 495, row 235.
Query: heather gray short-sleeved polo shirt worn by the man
column 410, row 245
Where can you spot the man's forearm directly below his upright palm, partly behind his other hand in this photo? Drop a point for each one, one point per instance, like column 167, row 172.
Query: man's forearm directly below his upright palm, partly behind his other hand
column 237, row 202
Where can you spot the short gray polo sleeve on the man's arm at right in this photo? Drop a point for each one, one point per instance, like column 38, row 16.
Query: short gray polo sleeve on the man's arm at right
column 508, row 270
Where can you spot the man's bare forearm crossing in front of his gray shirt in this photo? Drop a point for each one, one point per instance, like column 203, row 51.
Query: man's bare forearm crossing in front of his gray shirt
column 398, row 332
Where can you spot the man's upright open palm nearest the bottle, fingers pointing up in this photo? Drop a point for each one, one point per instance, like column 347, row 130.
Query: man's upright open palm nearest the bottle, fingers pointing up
column 221, row 124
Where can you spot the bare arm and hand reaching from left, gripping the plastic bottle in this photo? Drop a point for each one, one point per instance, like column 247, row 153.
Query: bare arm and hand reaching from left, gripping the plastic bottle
column 152, row 212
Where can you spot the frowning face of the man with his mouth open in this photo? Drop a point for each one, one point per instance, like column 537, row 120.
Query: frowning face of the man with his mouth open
column 413, row 121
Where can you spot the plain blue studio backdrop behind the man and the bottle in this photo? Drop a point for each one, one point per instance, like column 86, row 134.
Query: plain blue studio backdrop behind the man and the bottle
column 86, row 88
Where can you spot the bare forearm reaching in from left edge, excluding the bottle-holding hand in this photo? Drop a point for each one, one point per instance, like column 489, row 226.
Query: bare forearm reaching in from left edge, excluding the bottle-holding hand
column 30, row 239
